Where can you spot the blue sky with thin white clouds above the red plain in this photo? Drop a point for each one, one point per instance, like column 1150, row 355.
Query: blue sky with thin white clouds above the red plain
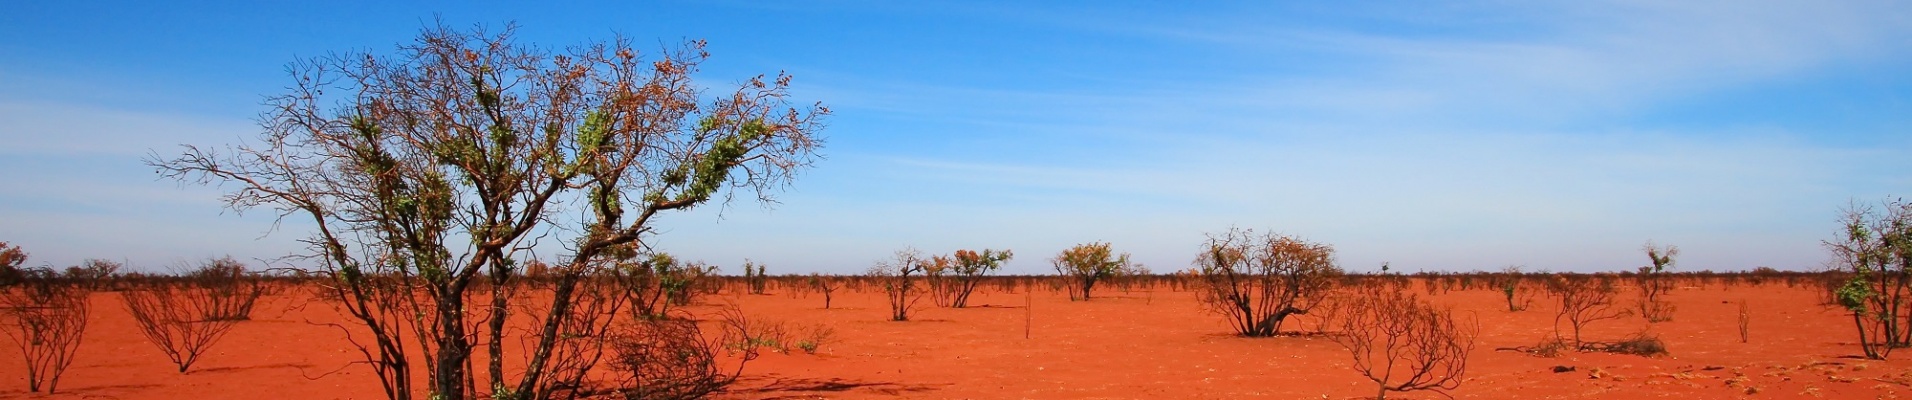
column 1433, row 137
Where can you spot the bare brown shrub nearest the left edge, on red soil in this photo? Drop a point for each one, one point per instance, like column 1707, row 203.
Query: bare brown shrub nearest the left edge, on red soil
column 47, row 317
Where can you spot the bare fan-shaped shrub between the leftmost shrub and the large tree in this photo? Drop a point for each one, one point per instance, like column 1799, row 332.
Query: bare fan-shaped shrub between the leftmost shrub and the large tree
column 186, row 317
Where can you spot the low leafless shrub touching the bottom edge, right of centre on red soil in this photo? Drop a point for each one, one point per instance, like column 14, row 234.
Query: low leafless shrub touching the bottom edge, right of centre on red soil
column 1402, row 344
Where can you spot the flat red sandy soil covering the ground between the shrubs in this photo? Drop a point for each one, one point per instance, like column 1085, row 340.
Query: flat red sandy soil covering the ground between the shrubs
column 1119, row 345
